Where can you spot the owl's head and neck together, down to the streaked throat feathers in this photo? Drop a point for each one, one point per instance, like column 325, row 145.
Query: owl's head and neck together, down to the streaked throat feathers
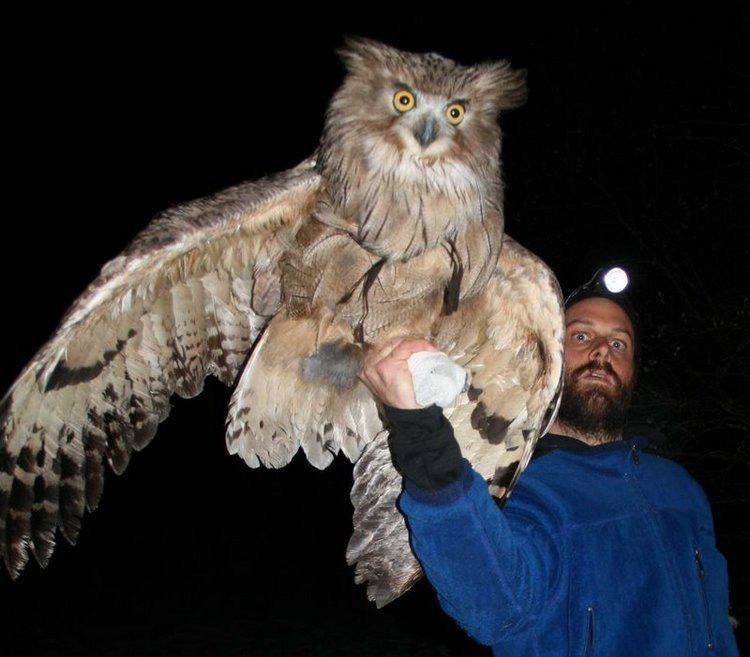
column 410, row 152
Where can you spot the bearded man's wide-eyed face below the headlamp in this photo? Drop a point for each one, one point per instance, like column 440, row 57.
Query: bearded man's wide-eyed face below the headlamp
column 598, row 367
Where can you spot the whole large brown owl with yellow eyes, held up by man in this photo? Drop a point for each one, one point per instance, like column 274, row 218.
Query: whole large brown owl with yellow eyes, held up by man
column 279, row 288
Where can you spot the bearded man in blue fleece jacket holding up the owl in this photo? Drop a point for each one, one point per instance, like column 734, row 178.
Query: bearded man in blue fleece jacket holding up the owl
column 601, row 549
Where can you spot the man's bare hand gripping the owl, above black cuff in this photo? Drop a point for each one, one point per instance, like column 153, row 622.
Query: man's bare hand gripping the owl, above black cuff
column 386, row 372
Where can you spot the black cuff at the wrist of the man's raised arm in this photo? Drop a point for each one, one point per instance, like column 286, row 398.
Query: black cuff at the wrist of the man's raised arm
column 423, row 446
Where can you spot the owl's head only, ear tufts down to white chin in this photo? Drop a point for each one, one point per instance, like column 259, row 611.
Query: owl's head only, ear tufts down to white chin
column 404, row 113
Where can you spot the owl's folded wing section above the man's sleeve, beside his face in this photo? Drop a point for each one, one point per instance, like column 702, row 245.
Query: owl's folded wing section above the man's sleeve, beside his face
column 517, row 373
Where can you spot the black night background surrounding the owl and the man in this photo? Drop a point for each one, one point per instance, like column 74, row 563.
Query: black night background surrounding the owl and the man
column 633, row 148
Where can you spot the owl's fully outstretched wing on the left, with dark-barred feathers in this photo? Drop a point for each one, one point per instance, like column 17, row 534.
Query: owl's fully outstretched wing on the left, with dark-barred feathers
column 187, row 298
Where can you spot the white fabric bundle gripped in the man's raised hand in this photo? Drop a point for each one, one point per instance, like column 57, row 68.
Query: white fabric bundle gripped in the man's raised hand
column 436, row 378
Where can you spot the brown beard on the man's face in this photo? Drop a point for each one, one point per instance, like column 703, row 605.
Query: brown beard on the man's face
column 594, row 410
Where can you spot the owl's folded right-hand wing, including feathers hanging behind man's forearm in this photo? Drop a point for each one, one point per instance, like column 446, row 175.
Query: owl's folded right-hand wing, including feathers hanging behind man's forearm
column 510, row 338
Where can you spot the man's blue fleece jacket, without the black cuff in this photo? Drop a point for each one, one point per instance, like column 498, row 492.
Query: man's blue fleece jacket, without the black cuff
column 600, row 550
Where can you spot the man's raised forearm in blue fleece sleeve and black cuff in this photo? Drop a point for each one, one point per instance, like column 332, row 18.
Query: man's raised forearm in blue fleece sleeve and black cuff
column 489, row 578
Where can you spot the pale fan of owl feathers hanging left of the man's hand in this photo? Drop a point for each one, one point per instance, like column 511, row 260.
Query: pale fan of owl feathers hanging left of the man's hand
column 300, row 388
